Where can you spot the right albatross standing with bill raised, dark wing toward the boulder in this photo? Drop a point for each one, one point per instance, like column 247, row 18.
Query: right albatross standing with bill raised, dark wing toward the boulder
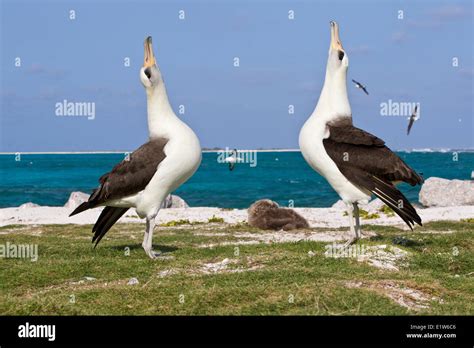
column 356, row 163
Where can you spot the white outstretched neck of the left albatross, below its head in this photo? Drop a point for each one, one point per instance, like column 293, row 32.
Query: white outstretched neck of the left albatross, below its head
column 161, row 117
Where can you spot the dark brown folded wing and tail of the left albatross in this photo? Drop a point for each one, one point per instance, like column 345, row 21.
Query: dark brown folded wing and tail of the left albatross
column 128, row 177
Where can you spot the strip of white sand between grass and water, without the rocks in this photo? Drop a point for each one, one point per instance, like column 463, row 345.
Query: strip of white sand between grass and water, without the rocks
column 317, row 217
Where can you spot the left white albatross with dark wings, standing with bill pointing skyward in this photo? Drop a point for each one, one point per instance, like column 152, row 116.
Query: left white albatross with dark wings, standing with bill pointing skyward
column 144, row 179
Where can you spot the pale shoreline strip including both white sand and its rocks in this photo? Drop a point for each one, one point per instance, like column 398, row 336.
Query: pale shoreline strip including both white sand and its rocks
column 441, row 199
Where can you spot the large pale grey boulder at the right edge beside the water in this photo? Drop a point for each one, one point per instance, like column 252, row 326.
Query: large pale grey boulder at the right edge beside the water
column 439, row 192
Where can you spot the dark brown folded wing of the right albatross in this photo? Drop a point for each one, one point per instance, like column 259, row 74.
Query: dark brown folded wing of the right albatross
column 367, row 163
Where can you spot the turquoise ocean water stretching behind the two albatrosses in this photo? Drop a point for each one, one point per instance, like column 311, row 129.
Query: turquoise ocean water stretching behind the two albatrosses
column 48, row 179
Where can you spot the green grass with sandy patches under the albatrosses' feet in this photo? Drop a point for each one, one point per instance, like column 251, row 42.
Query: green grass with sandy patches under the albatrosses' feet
column 275, row 278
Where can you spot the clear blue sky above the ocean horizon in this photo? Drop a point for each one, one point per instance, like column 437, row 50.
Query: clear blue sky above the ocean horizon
column 282, row 62
